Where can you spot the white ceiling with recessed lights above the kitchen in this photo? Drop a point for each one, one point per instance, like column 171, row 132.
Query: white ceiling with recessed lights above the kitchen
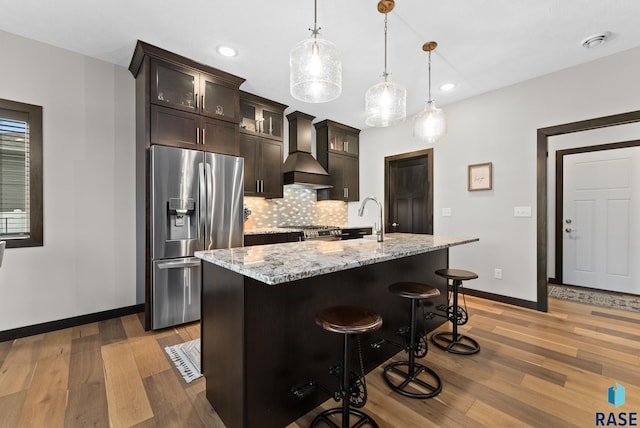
column 483, row 45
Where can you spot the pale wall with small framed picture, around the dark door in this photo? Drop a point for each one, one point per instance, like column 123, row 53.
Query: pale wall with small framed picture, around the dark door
column 500, row 127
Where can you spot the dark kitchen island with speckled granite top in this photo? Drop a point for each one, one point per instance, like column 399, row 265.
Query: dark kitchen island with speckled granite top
column 259, row 337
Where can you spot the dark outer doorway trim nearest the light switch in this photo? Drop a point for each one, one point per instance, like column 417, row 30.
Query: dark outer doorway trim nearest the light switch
column 542, row 152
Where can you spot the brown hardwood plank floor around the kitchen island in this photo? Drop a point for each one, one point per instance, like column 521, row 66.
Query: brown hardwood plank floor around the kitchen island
column 534, row 369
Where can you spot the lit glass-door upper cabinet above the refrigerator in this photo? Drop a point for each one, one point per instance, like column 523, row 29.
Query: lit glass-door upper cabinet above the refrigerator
column 187, row 89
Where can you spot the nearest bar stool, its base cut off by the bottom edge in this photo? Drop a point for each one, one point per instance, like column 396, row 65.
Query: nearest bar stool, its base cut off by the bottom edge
column 347, row 320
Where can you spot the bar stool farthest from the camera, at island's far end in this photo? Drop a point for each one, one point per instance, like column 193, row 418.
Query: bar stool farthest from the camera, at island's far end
column 451, row 341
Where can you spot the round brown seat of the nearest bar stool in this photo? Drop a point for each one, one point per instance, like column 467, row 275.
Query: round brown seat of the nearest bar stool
column 348, row 320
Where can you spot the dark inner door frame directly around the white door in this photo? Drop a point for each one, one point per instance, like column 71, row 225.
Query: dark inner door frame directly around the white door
column 558, row 277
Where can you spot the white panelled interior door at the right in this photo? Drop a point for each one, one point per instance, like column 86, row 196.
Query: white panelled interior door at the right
column 601, row 226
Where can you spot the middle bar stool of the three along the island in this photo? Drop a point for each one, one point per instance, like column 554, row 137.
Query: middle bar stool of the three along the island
column 416, row 292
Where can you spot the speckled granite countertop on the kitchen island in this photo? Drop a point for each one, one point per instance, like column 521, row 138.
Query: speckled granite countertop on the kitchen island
column 279, row 263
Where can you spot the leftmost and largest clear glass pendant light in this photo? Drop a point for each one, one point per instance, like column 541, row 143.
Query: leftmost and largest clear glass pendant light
column 315, row 68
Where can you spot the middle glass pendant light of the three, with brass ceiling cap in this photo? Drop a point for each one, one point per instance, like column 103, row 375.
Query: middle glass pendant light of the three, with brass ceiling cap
column 386, row 101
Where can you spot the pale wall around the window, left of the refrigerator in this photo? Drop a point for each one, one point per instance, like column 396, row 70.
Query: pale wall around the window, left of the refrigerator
column 87, row 263
